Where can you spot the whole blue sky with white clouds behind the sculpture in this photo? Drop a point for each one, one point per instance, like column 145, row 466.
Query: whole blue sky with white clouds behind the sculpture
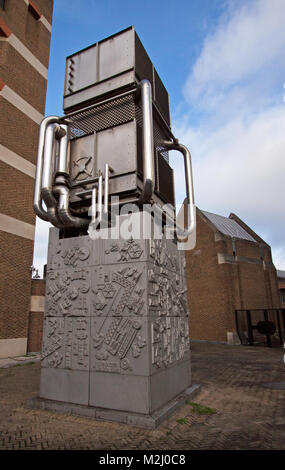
column 223, row 65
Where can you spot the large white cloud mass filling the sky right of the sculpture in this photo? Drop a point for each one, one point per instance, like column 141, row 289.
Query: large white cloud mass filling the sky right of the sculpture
column 238, row 141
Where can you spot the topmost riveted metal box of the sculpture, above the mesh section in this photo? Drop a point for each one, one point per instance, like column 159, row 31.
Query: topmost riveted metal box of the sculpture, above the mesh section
column 115, row 63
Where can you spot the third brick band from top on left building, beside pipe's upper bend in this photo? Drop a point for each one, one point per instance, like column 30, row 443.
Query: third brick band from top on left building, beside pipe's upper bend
column 18, row 132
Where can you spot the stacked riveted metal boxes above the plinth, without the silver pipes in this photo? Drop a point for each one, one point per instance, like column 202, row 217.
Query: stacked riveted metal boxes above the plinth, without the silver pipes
column 101, row 104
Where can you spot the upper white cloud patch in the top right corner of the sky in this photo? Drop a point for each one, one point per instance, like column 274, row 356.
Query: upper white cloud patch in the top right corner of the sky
column 243, row 45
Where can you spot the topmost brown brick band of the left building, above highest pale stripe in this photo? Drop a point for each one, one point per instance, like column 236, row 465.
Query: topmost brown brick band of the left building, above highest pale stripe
column 32, row 33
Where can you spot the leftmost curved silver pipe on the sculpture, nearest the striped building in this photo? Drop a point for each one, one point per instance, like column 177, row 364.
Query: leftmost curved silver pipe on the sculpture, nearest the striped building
column 39, row 167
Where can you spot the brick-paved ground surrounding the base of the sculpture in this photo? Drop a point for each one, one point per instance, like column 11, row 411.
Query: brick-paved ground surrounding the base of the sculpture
column 248, row 415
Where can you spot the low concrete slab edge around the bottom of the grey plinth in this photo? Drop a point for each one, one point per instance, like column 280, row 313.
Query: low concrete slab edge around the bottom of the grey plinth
column 134, row 419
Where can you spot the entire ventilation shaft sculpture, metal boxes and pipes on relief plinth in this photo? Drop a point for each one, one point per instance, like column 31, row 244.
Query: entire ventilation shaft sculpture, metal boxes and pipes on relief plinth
column 116, row 339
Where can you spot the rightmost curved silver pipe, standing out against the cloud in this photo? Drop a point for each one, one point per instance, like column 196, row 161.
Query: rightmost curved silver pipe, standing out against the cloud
column 191, row 212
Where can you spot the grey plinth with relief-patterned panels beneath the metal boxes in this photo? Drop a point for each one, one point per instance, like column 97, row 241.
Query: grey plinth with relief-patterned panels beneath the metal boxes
column 116, row 339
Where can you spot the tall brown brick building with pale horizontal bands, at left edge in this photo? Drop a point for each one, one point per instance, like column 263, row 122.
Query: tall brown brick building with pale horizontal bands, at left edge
column 25, row 30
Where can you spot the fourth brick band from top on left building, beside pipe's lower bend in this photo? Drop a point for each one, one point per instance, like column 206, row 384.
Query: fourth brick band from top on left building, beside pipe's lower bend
column 17, row 189
